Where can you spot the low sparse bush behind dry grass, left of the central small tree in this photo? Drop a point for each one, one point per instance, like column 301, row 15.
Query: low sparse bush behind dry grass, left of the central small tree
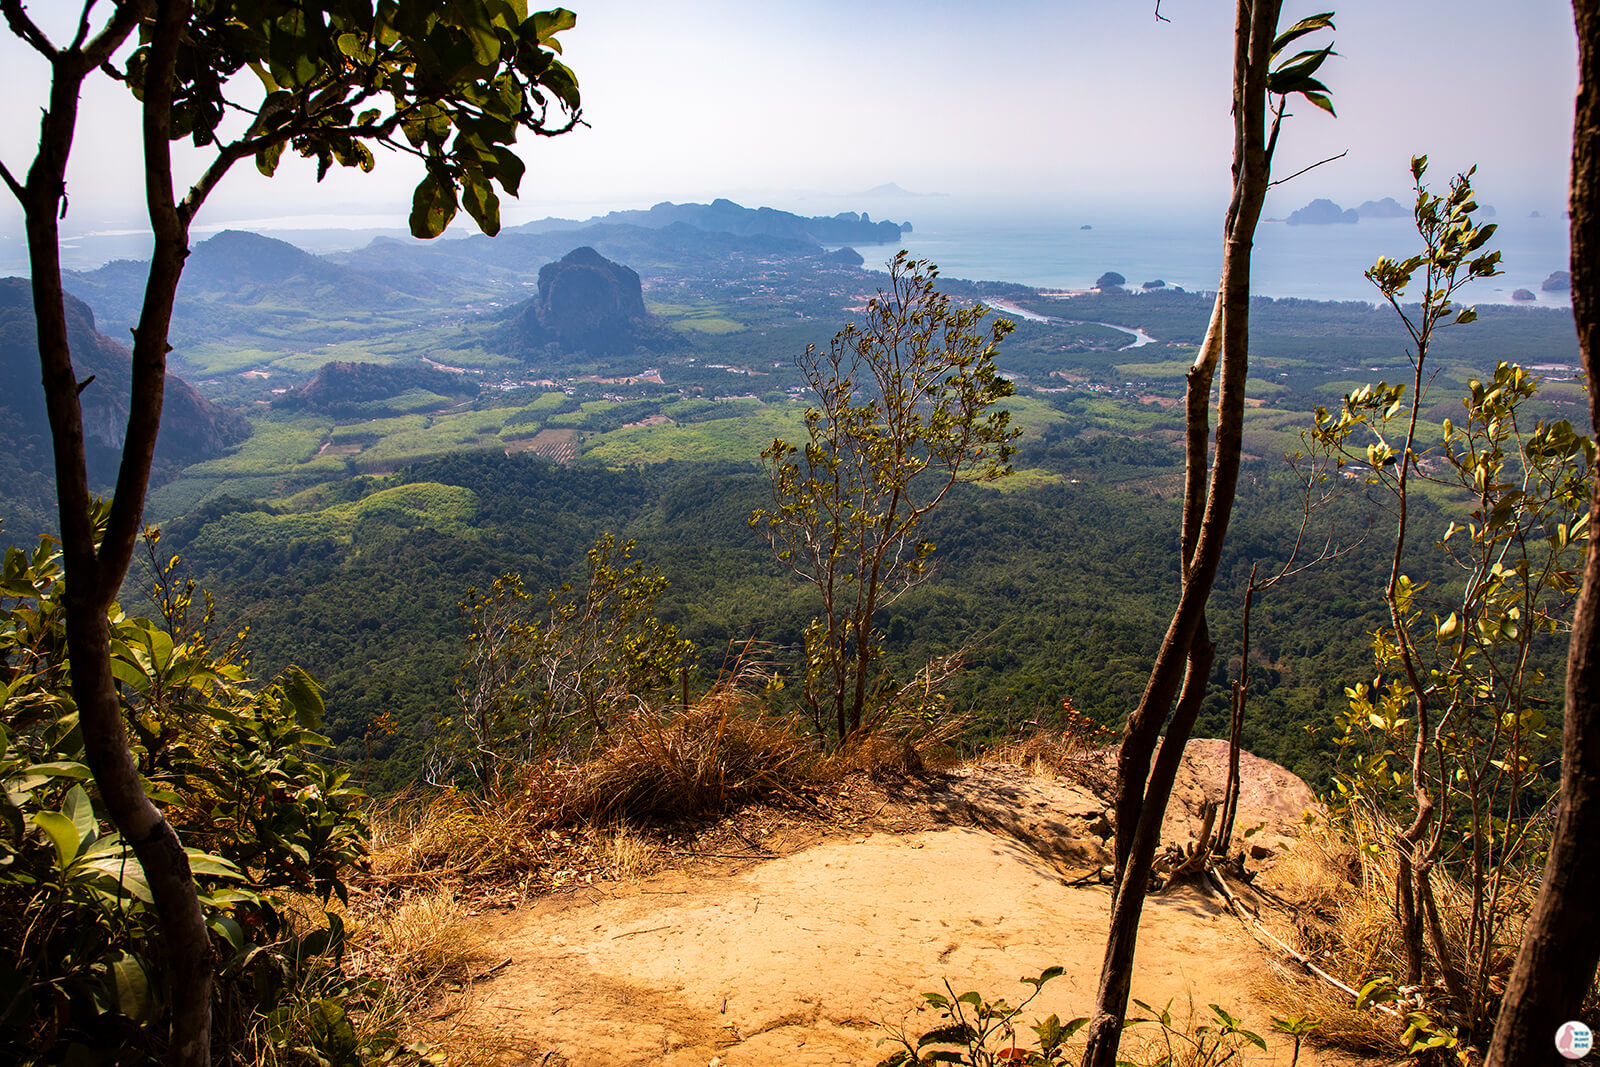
column 596, row 655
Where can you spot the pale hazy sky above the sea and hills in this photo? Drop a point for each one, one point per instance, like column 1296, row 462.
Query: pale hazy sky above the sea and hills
column 1015, row 103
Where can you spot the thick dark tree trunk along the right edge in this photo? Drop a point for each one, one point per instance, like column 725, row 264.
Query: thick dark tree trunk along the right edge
column 1561, row 945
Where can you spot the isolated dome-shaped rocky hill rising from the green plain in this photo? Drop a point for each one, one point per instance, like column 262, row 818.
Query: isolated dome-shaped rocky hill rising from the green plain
column 586, row 303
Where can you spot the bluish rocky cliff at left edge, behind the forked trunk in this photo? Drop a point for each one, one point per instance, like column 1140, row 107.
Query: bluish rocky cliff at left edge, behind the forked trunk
column 193, row 430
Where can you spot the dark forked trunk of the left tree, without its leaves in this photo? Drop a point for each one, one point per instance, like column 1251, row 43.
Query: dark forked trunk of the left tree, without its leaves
column 95, row 572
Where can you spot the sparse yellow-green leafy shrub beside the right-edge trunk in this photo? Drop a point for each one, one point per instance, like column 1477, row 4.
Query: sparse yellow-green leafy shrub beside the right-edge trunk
column 1450, row 741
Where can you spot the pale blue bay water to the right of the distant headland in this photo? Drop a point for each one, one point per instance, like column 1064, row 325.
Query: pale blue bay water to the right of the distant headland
column 1322, row 263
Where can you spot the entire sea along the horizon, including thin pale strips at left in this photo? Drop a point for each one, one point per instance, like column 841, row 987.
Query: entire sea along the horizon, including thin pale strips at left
column 1054, row 250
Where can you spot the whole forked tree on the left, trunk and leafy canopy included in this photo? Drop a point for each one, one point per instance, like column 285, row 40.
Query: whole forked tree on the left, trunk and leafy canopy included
column 450, row 82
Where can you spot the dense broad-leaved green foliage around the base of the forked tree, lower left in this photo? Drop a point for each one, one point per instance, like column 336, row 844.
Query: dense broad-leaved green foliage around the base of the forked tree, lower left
column 225, row 759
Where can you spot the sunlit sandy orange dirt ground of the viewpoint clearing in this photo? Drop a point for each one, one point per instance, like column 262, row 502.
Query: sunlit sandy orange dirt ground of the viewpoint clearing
column 806, row 946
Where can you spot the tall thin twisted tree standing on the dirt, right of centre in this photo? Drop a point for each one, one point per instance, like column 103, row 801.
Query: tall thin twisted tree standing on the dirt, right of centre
column 1186, row 650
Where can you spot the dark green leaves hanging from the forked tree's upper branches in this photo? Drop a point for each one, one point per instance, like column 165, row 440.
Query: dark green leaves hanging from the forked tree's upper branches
column 460, row 81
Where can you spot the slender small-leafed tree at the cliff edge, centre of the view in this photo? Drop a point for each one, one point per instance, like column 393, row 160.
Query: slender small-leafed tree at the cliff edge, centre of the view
column 906, row 409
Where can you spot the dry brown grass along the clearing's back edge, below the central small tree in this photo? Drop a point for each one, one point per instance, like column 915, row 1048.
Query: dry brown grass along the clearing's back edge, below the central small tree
column 652, row 775
